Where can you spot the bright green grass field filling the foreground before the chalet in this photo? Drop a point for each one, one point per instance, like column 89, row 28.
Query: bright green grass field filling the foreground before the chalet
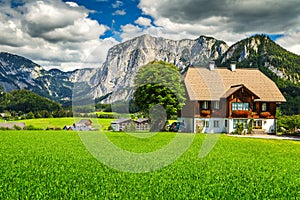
column 56, row 165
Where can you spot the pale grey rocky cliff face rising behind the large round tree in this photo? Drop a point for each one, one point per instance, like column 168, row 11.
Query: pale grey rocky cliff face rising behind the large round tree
column 116, row 78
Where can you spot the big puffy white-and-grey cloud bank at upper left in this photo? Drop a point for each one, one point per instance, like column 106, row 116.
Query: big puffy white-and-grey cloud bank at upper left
column 54, row 34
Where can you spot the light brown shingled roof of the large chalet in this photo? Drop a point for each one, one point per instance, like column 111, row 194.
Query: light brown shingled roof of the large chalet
column 203, row 84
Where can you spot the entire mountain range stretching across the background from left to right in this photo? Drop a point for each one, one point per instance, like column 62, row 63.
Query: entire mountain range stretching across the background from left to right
column 114, row 80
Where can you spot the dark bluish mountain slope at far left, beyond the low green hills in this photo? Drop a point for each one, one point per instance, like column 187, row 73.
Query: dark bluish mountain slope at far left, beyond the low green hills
column 17, row 73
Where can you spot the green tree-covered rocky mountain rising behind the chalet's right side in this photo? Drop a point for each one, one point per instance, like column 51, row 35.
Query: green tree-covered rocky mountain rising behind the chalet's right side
column 282, row 66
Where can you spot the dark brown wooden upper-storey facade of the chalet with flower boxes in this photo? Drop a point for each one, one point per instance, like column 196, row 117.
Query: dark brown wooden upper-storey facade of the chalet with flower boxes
column 223, row 108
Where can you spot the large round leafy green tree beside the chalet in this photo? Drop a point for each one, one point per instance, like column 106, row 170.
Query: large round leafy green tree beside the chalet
column 159, row 83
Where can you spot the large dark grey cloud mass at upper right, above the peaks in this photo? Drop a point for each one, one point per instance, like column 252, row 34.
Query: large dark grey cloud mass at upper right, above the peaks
column 230, row 20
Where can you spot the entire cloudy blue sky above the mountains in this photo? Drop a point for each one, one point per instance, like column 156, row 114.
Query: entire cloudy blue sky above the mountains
column 72, row 34
